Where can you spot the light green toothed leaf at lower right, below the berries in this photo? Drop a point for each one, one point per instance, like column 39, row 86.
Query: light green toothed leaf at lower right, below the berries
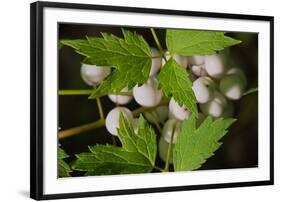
column 195, row 145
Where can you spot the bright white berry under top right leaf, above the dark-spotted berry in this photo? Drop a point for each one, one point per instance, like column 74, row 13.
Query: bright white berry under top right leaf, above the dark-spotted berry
column 214, row 66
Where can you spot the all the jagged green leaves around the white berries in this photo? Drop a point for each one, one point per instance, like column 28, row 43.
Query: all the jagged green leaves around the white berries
column 130, row 58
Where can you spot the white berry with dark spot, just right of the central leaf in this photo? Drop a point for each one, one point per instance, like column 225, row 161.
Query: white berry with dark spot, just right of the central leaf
column 203, row 88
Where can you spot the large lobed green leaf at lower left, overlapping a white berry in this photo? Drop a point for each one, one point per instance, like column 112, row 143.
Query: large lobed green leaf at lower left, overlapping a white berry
column 137, row 154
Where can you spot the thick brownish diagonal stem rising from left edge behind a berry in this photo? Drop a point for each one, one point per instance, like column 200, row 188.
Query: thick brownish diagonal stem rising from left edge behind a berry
column 100, row 123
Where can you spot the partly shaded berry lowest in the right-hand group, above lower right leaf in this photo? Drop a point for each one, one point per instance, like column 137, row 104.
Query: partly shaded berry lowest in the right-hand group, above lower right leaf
column 214, row 107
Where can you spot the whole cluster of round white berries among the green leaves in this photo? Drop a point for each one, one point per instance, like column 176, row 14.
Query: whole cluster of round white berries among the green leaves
column 214, row 86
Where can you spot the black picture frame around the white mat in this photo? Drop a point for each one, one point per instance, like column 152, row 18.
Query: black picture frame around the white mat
column 37, row 99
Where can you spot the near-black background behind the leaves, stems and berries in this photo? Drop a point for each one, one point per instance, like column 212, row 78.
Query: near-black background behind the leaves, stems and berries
column 240, row 145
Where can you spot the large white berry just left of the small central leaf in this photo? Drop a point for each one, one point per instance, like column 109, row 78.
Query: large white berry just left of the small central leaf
column 148, row 95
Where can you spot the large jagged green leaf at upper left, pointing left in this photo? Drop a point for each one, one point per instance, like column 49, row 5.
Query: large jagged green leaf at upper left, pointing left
column 130, row 57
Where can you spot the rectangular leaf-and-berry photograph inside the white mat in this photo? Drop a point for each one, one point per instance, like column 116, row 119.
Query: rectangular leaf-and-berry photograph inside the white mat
column 137, row 100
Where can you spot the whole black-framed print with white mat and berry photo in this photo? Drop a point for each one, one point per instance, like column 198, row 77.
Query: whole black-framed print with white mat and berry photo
column 134, row 100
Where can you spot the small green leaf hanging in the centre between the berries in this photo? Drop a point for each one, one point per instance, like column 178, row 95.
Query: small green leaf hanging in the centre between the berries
column 174, row 81
